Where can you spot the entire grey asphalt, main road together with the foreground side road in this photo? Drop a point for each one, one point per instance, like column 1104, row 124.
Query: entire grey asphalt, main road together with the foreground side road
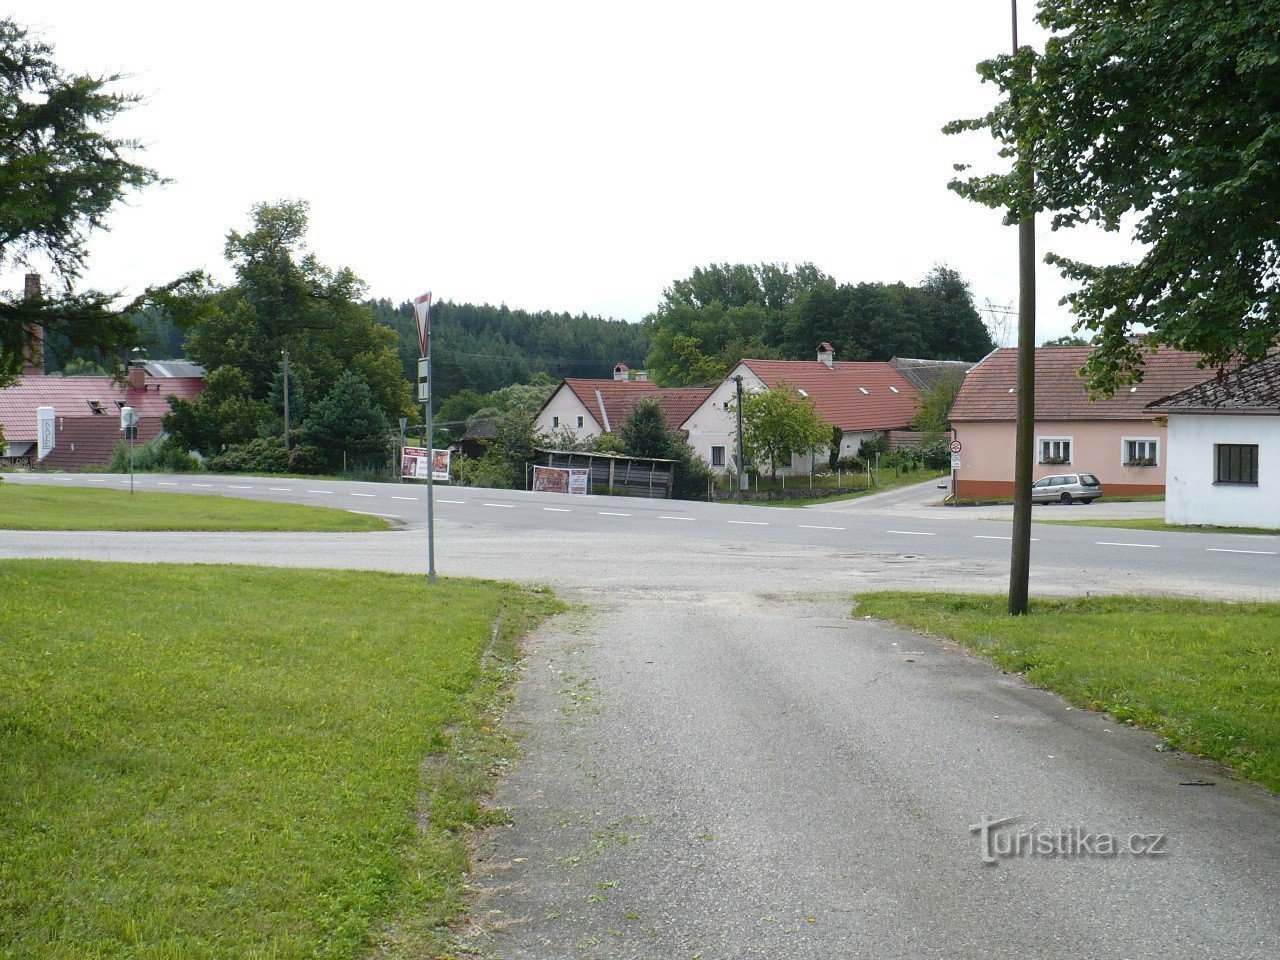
column 721, row 762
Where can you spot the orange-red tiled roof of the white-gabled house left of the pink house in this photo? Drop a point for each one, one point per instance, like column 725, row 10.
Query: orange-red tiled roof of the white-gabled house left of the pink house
column 889, row 403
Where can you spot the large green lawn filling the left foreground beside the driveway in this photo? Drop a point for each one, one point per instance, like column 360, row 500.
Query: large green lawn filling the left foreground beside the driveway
column 235, row 762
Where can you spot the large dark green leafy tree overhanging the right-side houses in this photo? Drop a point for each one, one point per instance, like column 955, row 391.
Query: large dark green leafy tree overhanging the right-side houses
column 1164, row 115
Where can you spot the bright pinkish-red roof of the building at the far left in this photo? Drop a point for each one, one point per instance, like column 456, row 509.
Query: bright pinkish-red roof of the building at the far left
column 71, row 396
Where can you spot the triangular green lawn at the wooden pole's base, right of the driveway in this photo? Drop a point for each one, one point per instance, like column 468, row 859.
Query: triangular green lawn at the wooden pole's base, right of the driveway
column 1203, row 675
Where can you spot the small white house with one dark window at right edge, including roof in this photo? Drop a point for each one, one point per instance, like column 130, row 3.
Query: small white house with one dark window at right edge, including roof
column 1224, row 450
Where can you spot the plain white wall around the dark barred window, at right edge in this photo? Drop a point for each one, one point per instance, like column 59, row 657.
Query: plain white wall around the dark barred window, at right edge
column 1191, row 495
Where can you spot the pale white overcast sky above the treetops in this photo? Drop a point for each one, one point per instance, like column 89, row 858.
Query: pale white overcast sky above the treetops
column 560, row 156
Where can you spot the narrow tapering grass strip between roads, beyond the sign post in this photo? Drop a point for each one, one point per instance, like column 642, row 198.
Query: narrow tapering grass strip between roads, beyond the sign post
column 30, row 508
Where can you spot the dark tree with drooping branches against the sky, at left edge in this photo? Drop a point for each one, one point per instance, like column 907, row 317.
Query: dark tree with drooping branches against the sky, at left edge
column 61, row 176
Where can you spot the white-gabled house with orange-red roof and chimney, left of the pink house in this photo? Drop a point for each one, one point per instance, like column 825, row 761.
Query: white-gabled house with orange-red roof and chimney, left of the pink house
column 862, row 399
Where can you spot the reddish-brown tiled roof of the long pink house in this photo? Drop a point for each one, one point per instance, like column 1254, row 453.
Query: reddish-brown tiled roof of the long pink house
column 1060, row 395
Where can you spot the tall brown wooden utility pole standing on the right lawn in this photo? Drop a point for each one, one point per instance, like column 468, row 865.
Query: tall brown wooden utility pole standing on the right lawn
column 1021, row 557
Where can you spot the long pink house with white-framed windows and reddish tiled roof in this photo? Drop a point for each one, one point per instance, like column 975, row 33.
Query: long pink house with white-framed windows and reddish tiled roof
column 1116, row 438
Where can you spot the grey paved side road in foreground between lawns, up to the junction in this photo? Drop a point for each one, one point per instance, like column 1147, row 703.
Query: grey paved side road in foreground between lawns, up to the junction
column 746, row 776
